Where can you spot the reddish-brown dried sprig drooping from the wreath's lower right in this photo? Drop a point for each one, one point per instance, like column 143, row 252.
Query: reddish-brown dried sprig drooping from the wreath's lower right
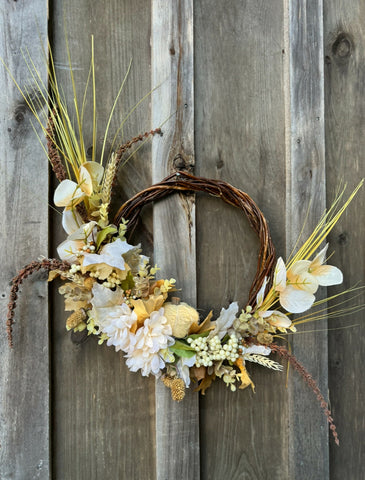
column 283, row 352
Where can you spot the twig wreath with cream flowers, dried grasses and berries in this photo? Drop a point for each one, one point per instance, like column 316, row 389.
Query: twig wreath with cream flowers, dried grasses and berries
column 113, row 292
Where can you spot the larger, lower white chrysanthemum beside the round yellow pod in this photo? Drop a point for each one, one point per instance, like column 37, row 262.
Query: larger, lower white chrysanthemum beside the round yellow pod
column 149, row 340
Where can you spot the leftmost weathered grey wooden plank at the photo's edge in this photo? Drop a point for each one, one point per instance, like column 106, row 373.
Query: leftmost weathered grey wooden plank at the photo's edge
column 24, row 378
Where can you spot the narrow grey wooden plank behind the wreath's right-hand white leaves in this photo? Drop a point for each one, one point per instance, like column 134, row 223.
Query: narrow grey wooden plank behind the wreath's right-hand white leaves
column 308, row 434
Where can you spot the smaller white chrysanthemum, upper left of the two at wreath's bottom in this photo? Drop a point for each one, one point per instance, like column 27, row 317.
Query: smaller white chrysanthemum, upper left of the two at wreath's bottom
column 117, row 326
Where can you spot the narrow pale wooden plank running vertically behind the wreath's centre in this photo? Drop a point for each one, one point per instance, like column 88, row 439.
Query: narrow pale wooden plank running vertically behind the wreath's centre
column 177, row 425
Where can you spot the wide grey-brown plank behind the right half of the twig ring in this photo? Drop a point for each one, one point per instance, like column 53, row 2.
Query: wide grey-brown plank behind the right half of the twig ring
column 240, row 121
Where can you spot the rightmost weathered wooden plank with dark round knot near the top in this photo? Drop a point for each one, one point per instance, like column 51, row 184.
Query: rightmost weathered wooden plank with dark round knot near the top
column 344, row 35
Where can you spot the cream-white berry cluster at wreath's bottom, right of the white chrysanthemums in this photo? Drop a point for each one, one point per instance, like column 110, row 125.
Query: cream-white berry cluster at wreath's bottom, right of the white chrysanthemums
column 208, row 351
